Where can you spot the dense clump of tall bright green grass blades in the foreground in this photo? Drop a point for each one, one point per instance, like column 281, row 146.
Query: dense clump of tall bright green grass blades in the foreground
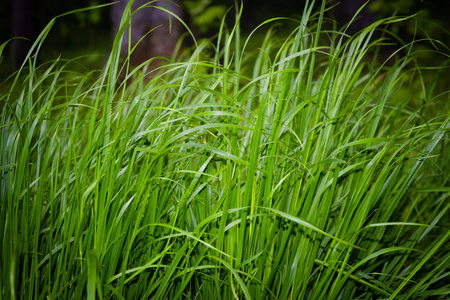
column 303, row 169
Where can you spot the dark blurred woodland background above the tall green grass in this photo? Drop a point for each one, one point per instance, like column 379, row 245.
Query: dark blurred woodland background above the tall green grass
column 91, row 32
